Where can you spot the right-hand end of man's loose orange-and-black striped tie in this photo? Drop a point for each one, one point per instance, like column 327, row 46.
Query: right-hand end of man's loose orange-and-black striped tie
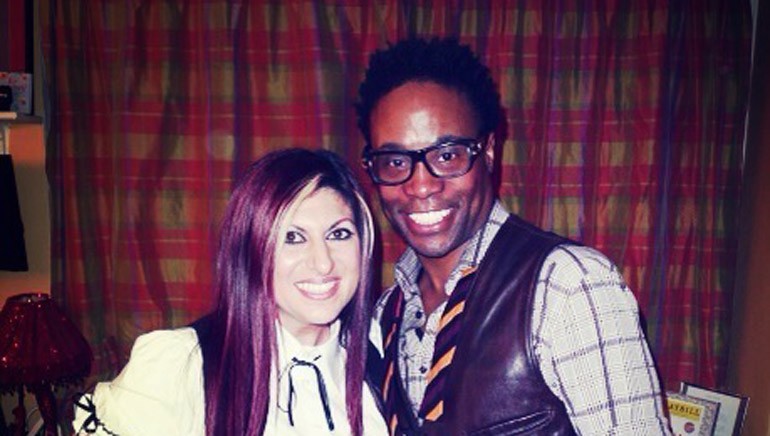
column 432, row 406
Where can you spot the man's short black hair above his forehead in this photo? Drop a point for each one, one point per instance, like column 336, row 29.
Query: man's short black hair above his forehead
column 443, row 61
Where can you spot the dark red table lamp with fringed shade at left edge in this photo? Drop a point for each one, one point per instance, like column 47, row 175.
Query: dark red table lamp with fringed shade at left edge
column 40, row 347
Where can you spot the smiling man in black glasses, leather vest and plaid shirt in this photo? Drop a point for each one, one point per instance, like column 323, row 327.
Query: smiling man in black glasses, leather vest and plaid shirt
column 493, row 326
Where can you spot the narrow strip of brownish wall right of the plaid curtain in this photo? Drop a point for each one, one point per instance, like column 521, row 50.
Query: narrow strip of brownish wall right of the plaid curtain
column 748, row 371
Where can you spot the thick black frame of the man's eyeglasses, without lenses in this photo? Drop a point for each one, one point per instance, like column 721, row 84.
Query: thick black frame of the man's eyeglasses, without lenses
column 474, row 145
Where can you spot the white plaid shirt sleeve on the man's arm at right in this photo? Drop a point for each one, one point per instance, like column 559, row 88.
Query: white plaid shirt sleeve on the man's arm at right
column 591, row 350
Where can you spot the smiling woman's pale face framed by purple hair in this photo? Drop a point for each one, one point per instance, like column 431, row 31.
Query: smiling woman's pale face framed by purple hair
column 317, row 265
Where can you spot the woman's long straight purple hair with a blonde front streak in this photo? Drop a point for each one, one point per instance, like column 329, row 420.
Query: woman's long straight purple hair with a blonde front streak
column 240, row 343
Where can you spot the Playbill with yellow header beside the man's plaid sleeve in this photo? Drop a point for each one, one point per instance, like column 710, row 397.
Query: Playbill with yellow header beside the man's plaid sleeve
column 691, row 416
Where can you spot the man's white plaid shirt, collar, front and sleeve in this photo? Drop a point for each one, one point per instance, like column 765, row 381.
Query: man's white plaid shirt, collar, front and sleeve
column 585, row 330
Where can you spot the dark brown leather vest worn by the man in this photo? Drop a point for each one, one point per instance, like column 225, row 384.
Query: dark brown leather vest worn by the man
column 494, row 386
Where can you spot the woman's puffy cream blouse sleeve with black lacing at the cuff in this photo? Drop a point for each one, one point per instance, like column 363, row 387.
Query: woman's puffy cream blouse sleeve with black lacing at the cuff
column 159, row 392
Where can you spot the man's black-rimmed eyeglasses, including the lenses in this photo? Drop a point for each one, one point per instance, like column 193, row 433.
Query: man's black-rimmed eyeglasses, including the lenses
column 446, row 159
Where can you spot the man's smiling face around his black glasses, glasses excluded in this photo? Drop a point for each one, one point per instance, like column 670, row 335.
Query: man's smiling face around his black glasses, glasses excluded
column 435, row 216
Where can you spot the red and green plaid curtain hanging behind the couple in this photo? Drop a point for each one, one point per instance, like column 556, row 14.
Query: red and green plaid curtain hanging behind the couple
column 624, row 130
